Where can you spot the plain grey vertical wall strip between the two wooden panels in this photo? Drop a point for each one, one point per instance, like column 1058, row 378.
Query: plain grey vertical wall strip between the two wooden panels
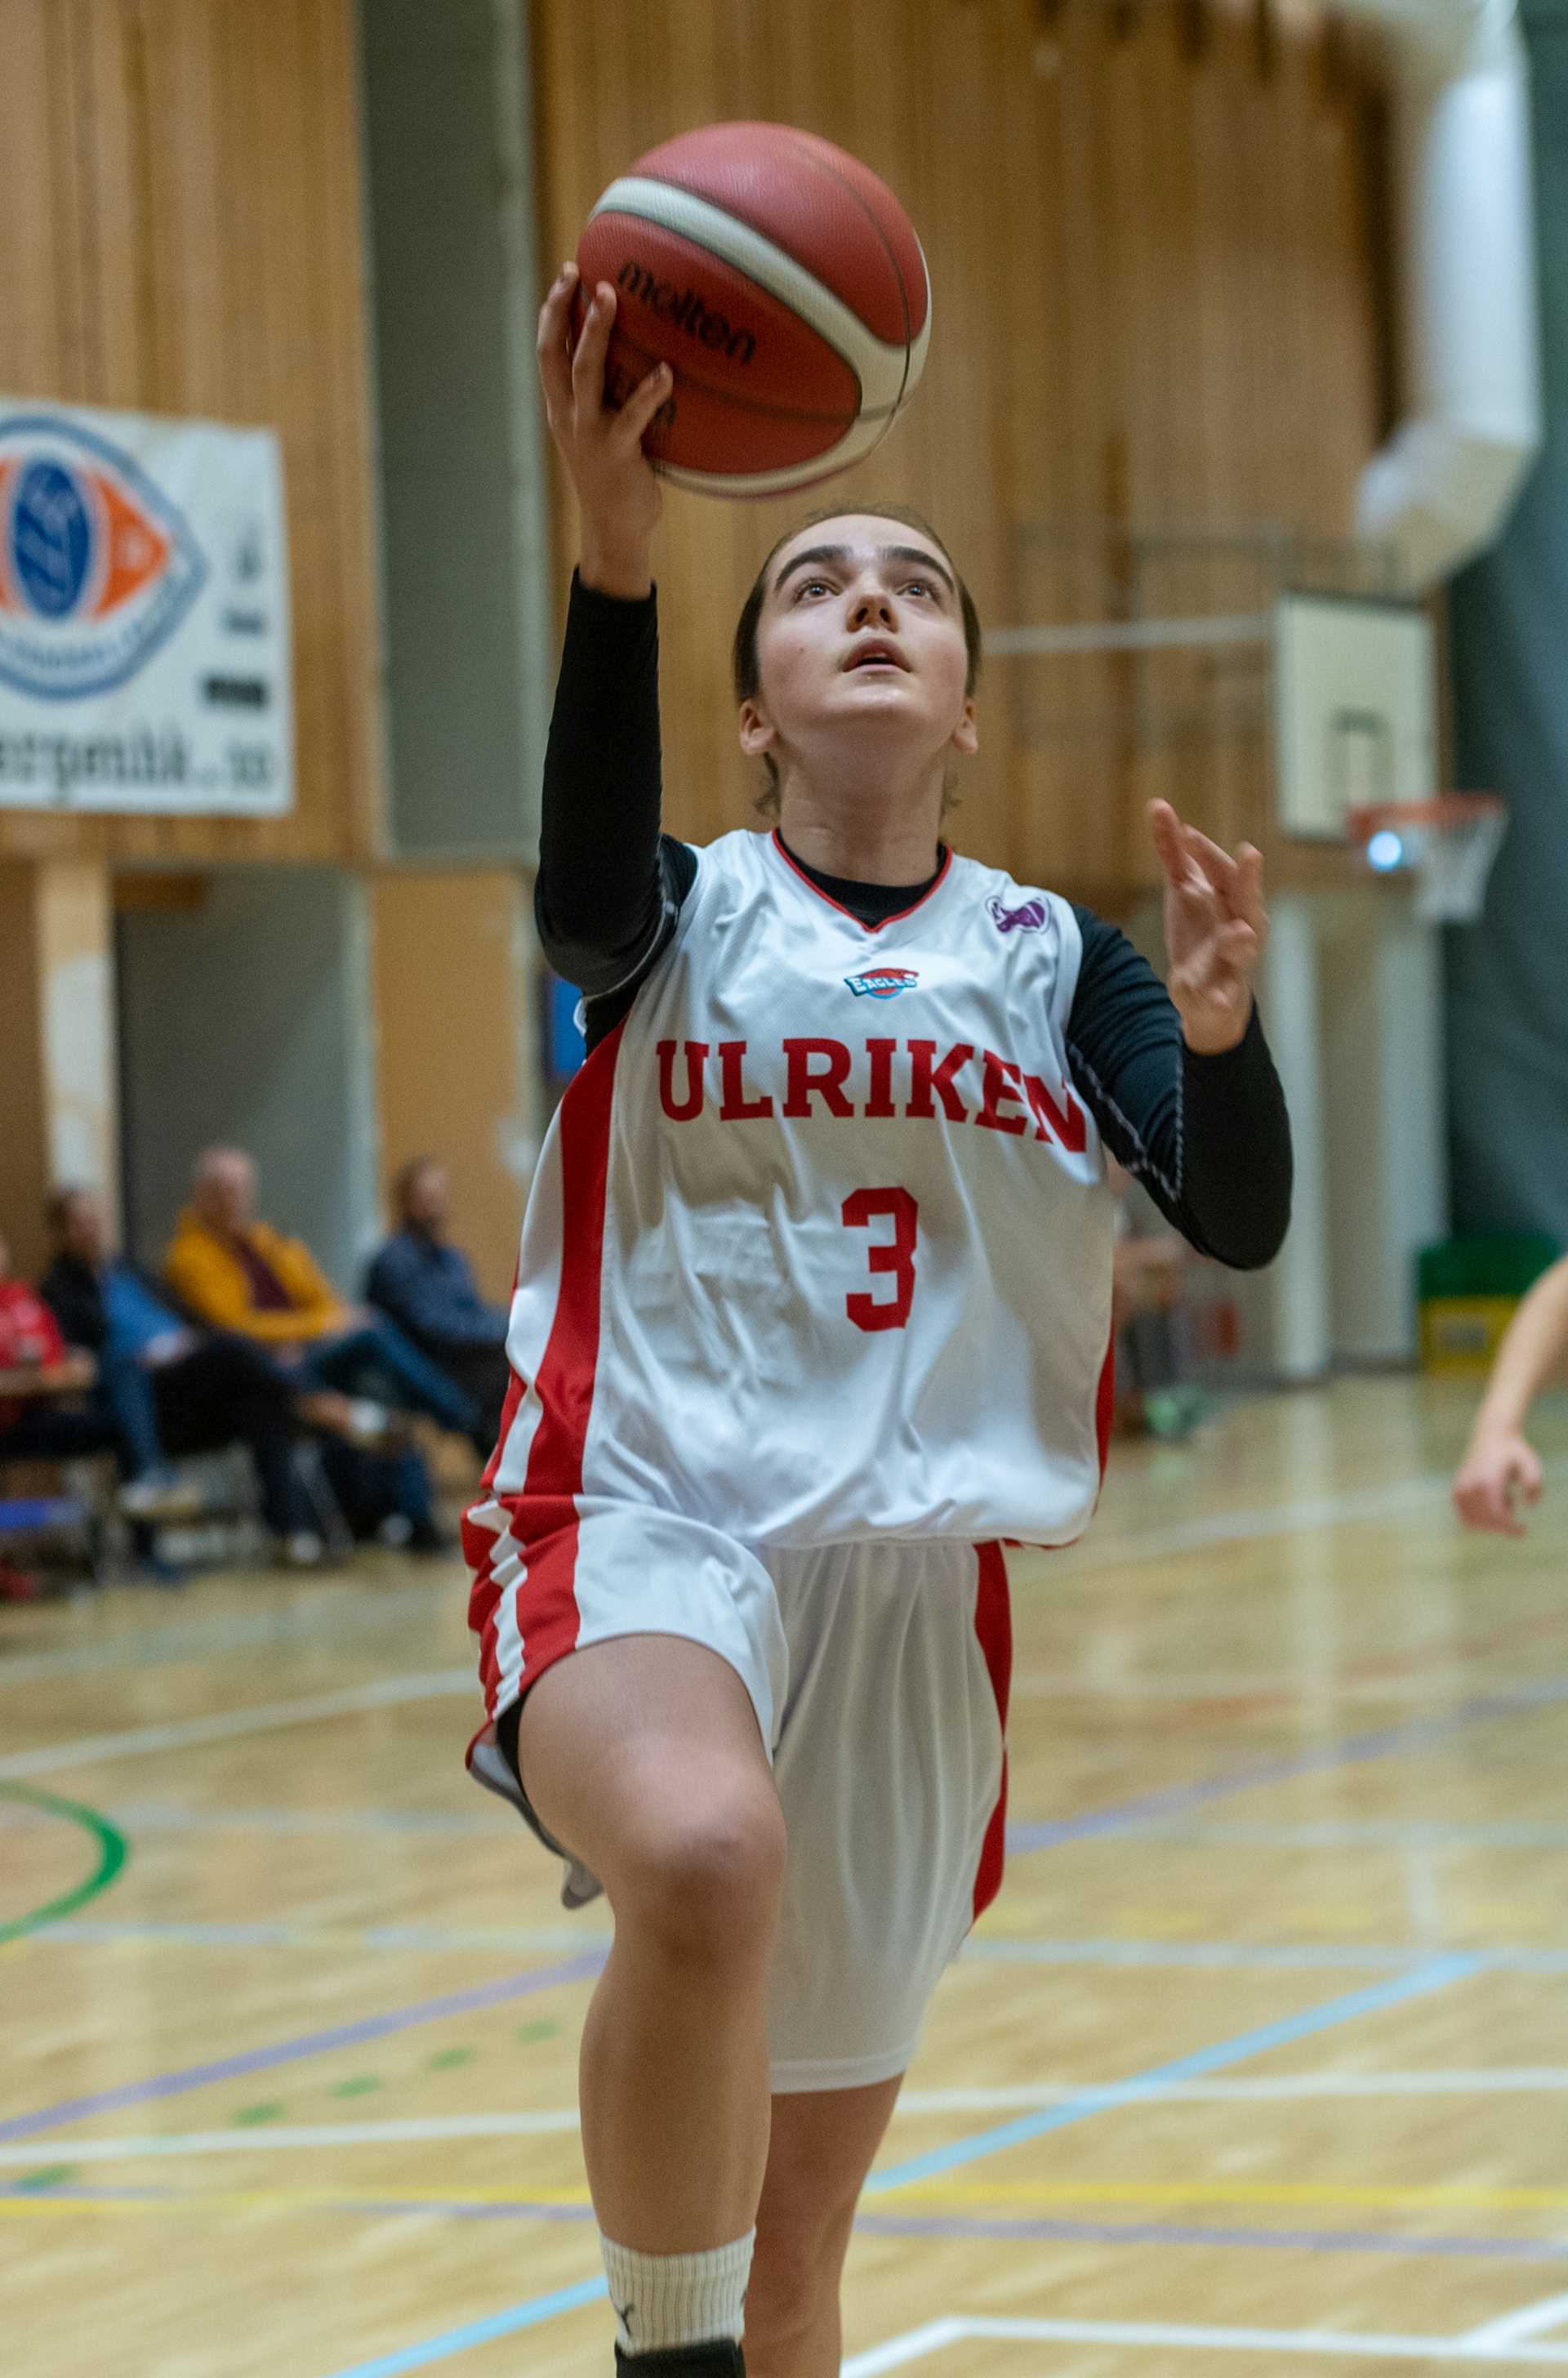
column 448, row 115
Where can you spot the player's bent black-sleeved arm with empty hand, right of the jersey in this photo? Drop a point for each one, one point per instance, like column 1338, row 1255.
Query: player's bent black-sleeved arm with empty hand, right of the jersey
column 1180, row 1078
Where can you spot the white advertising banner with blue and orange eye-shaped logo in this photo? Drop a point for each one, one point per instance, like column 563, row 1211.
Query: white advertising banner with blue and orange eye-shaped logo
column 144, row 615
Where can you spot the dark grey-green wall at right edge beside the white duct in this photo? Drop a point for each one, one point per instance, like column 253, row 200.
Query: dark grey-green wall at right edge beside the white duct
column 1507, row 979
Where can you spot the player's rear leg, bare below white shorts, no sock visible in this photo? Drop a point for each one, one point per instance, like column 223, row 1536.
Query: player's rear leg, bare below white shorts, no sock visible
column 818, row 2158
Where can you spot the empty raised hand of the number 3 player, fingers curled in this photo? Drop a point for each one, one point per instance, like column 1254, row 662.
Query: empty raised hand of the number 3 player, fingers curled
column 1215, row 929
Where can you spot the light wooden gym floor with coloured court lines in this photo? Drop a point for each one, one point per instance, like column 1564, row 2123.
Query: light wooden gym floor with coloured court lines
column 1260, row 2063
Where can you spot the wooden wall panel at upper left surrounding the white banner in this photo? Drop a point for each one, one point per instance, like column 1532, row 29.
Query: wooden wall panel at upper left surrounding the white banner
column 184, row 237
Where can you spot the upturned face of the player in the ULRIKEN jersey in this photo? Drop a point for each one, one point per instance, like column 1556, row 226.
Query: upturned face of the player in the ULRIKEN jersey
column 861, row 629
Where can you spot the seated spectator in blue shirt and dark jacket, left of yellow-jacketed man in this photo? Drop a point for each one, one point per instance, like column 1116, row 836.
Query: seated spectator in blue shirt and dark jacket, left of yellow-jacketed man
column 184, row 1390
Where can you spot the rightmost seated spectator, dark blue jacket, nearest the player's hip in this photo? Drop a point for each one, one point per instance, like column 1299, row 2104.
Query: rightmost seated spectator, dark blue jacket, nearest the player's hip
column 426, row 1285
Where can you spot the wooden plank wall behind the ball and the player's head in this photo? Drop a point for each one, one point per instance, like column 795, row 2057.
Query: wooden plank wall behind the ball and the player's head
column 1153, row 313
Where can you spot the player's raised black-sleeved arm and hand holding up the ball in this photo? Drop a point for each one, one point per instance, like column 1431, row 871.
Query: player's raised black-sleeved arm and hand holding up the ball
column 609, row 886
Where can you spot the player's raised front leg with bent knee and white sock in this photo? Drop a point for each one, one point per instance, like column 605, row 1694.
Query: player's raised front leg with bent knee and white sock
column 645, row 1759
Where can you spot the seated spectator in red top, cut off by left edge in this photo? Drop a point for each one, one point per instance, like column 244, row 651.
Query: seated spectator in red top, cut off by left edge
column 58, row 1404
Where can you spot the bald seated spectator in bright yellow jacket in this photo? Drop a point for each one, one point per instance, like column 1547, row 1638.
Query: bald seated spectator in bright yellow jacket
column 241, row 1273
